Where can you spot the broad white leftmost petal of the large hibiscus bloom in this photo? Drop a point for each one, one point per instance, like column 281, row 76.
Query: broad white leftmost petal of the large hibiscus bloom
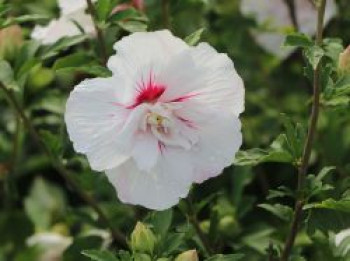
column 94, row 121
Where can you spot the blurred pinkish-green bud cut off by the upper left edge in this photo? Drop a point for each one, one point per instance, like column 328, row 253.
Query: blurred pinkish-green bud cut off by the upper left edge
column 11, row 38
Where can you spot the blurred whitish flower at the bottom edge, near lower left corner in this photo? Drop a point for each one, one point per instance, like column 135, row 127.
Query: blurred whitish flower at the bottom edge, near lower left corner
column 51, row 245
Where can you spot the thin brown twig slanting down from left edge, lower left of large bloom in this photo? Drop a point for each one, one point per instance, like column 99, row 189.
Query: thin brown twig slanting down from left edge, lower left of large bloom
column 118, row 237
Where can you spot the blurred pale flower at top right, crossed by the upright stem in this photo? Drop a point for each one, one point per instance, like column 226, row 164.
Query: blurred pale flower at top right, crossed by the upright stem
column 273, row 16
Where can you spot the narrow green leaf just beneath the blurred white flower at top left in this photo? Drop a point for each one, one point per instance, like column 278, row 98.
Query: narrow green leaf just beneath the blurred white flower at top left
column 62, row 45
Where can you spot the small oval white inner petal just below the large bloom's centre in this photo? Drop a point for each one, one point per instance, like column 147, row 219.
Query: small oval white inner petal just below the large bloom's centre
column 145, row 151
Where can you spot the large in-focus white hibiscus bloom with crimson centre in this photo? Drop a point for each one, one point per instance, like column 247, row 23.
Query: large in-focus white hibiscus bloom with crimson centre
column 167, row 117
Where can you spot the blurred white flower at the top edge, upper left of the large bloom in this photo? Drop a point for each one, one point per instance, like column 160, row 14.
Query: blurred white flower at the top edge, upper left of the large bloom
column 72, row 14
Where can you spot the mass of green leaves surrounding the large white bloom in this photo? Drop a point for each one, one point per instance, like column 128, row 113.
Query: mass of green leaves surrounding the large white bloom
column 244, row 213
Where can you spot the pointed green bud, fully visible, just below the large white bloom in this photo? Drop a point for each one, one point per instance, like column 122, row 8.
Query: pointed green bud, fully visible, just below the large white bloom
column 142, row 239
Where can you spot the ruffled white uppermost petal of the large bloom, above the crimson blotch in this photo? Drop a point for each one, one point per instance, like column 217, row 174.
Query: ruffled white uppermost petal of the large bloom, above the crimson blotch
column 141, row 54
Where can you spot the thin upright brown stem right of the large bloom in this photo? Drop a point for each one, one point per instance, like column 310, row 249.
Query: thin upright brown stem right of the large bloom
column 298, row 209
